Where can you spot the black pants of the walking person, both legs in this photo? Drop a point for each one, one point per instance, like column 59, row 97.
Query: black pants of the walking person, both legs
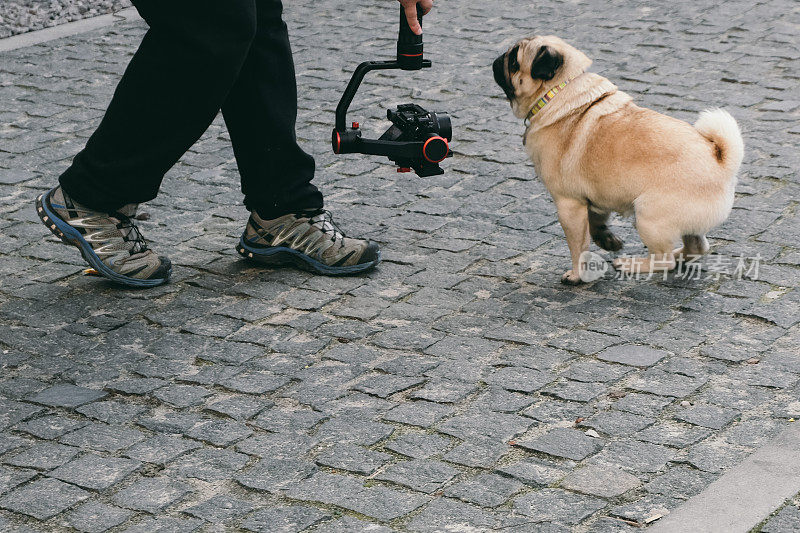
column 200, row 56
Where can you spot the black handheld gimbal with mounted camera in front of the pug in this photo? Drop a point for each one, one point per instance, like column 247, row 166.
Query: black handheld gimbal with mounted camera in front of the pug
column 417, row 139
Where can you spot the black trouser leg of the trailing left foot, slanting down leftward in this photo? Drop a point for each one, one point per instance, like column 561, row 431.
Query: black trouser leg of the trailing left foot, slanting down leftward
column 170, row 93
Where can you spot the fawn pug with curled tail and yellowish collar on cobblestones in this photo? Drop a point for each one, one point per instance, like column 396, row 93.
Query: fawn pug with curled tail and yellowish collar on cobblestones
column 597, row 152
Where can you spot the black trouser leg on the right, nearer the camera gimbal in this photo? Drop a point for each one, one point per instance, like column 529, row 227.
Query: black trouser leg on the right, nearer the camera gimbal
column 260, row 112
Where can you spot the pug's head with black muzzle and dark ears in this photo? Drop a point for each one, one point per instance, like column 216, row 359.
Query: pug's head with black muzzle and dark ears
column 532, row 66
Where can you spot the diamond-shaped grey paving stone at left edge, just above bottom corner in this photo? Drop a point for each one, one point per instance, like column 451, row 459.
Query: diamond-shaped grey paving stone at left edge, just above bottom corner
column 43, row 498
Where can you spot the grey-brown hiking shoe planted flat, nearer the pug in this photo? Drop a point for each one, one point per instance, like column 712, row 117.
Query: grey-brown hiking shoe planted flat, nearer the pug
column 308, row 240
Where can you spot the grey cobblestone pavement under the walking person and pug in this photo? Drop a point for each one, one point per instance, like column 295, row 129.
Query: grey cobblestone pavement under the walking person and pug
column 459, row 387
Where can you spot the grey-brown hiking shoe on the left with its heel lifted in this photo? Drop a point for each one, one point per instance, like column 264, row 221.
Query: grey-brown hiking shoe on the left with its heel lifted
column 109, row 242
